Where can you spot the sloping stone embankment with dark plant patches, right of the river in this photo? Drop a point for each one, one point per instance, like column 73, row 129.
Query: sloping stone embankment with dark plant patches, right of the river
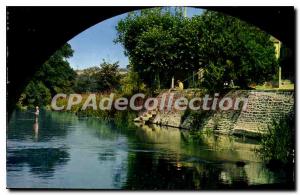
column 263, row 107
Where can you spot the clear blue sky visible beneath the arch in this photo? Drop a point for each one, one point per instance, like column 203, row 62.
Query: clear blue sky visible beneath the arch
column 97, row 43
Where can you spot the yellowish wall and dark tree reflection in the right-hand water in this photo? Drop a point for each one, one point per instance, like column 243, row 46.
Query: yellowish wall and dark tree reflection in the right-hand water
column 218, row 162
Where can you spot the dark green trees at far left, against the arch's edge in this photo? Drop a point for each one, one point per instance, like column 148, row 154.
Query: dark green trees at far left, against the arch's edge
column 54, row 76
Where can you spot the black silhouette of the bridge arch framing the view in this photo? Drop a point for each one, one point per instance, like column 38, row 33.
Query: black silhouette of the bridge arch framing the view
column 34, row 33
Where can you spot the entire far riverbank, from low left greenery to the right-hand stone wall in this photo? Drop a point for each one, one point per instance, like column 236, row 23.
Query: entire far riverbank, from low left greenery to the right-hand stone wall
column 262, row 108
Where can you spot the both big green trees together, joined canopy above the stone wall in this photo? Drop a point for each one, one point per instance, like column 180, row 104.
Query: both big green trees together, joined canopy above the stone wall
column 161, row 43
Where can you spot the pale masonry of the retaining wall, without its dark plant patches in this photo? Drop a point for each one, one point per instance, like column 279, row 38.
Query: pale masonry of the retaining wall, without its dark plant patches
column 262, row 108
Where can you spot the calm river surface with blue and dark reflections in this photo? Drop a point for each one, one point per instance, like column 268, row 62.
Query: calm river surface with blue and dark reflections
column 60, row 150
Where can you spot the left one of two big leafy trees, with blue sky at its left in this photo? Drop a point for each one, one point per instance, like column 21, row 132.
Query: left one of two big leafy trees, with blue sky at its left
column 159, row 44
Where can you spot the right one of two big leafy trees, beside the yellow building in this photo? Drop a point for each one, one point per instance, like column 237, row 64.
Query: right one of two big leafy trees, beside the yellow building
column 232, row 49
